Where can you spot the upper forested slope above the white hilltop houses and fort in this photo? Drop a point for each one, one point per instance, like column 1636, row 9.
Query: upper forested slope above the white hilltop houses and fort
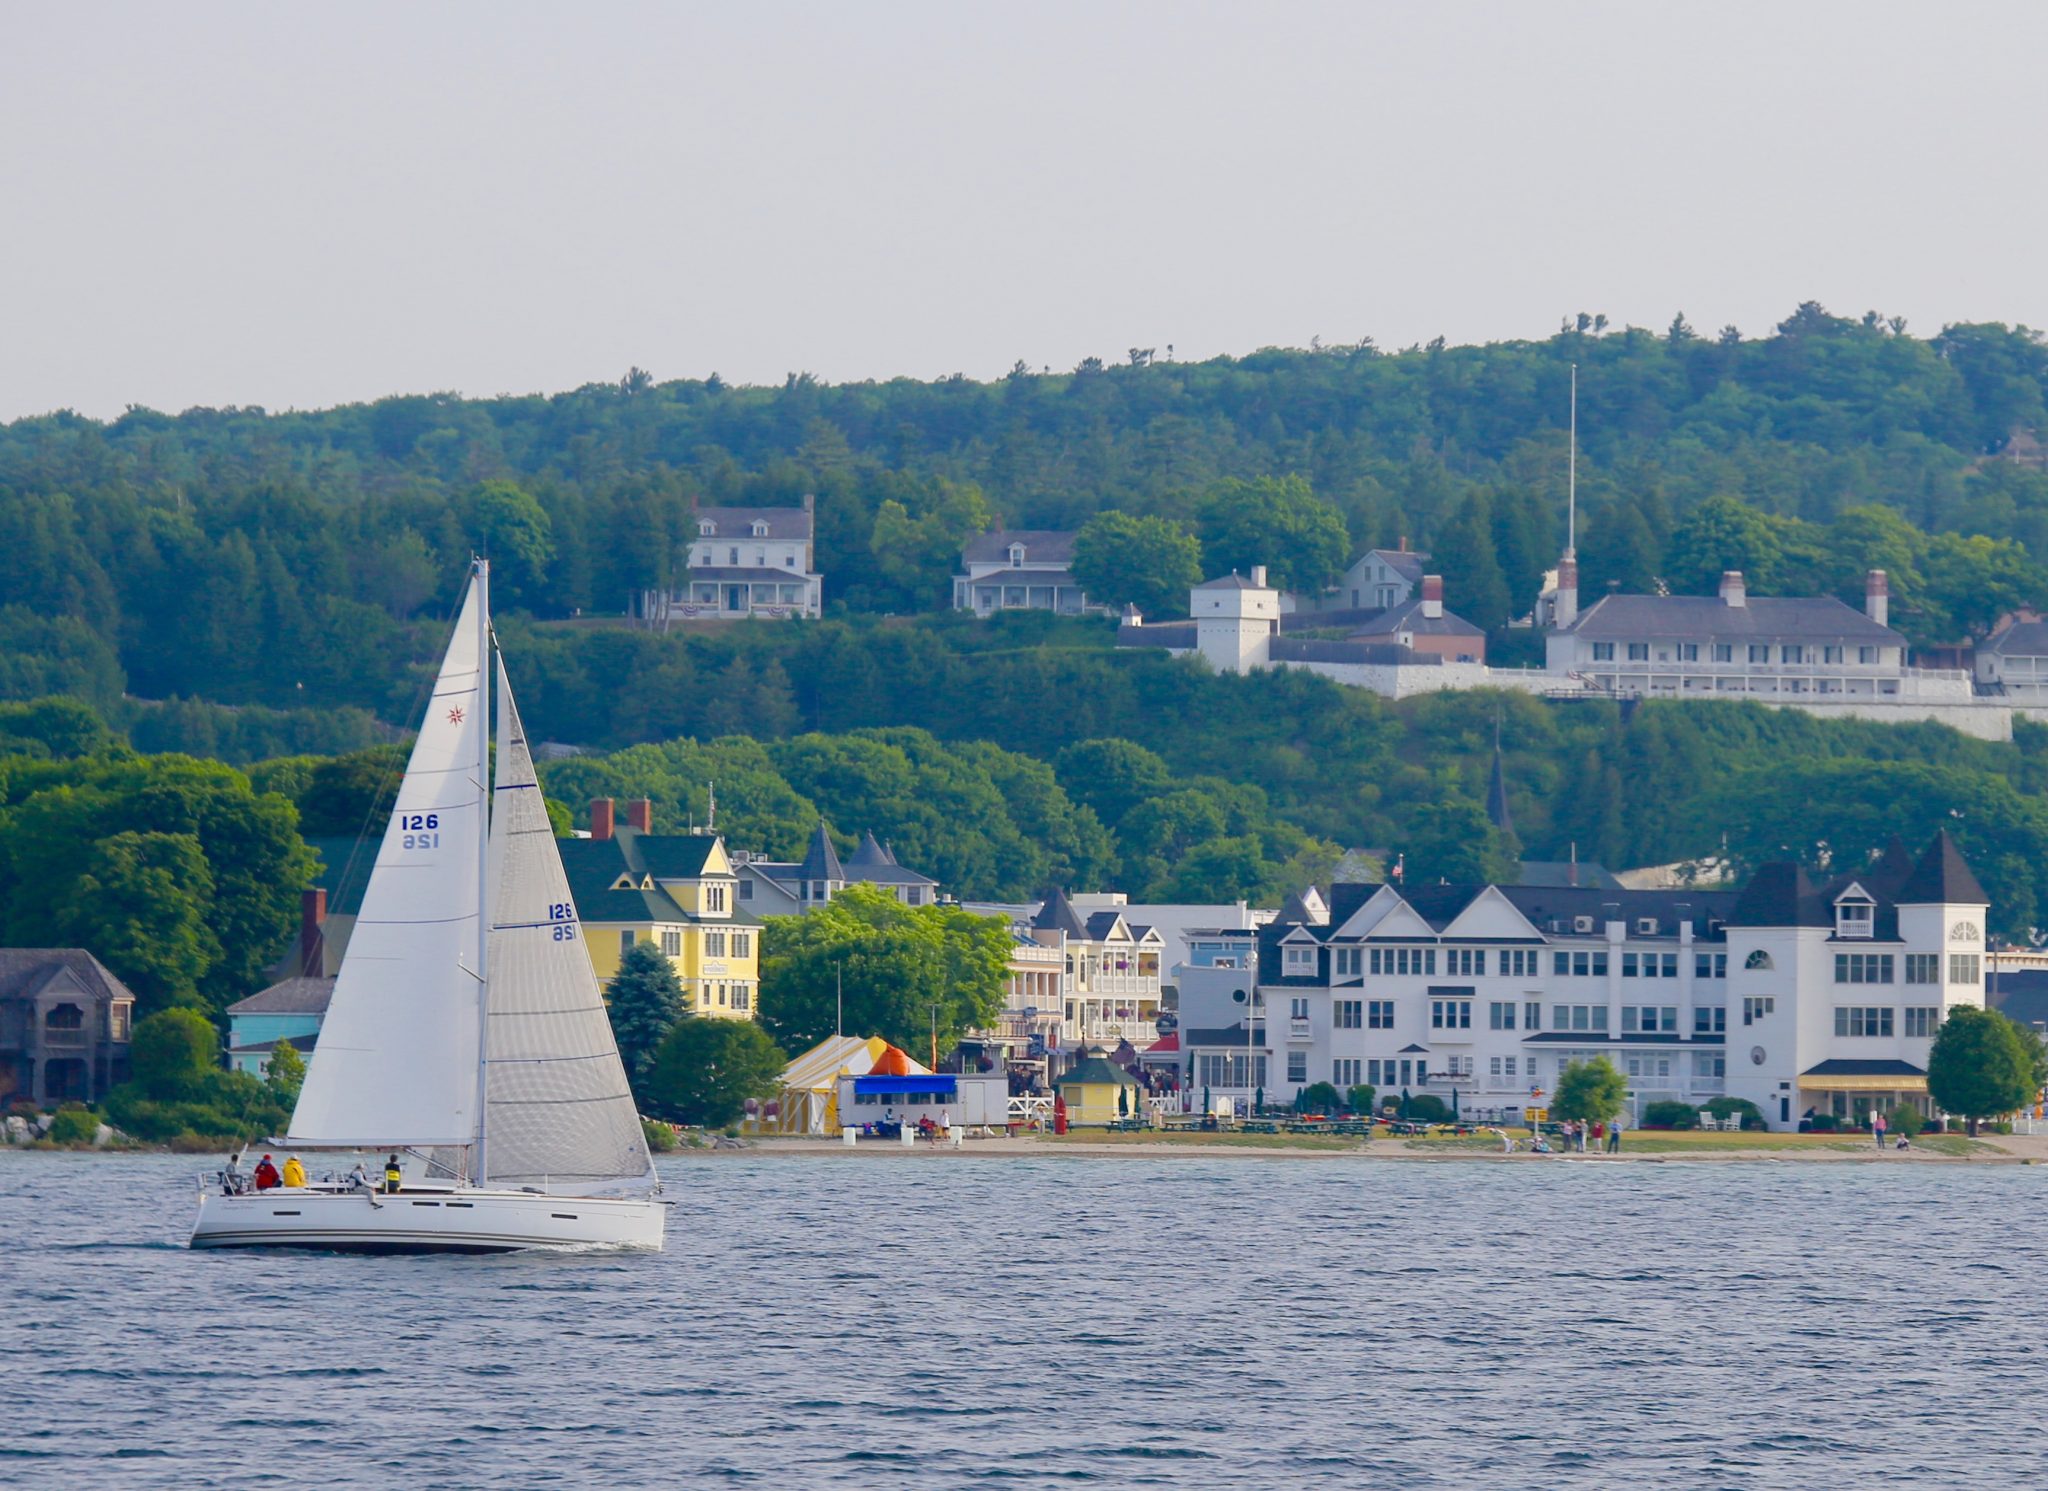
column 296, row 558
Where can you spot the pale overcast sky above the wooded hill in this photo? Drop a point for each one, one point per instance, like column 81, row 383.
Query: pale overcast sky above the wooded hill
column 306, row 206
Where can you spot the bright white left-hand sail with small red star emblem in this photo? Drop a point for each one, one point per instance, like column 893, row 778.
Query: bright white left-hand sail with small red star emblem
column 398, row 1050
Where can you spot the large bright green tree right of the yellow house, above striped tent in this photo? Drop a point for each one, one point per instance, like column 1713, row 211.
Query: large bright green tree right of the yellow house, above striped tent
column 902, row 968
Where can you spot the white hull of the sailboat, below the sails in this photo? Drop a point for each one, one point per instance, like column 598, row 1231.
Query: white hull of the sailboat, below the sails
column 452, row 1222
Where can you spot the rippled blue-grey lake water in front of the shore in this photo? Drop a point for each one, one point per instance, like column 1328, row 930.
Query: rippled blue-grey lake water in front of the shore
column 939, row 1322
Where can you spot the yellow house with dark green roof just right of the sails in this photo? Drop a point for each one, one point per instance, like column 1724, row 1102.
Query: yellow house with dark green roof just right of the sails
column 673, row 890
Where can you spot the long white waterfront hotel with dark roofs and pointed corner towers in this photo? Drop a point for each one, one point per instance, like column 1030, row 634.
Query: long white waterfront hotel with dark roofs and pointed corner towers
column 1787, row 994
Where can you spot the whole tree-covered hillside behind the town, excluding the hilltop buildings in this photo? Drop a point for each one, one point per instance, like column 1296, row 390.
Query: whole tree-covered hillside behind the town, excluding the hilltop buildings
column 278, row 585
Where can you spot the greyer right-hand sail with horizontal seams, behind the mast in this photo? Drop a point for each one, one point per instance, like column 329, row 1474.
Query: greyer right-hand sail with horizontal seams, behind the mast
column 558, row 1109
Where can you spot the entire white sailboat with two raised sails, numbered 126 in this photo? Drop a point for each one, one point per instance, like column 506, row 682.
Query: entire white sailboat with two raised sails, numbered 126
column 466, row 1035
